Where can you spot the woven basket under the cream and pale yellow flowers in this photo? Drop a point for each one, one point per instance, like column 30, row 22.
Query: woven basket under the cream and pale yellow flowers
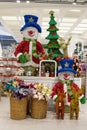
column 38, row 108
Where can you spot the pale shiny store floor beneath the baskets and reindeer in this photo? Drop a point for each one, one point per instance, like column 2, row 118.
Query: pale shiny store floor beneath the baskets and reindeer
column 49, row 123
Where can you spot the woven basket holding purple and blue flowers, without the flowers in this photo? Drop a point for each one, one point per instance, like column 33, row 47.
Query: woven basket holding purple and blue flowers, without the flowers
column 18, row 108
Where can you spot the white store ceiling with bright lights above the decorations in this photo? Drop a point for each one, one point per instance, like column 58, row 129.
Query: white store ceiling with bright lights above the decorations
column 71, row 19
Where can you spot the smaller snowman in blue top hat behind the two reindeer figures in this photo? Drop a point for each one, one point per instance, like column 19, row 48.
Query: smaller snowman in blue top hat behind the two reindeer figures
column 66, row 82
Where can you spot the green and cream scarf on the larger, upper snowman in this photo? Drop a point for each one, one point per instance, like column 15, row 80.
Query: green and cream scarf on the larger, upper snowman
column 34, row 52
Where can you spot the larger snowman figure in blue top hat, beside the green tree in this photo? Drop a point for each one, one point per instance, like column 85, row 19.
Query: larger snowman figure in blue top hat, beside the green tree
column 30, row 49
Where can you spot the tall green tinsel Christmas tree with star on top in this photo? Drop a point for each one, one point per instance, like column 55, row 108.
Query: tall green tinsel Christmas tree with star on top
column 53, row 45
